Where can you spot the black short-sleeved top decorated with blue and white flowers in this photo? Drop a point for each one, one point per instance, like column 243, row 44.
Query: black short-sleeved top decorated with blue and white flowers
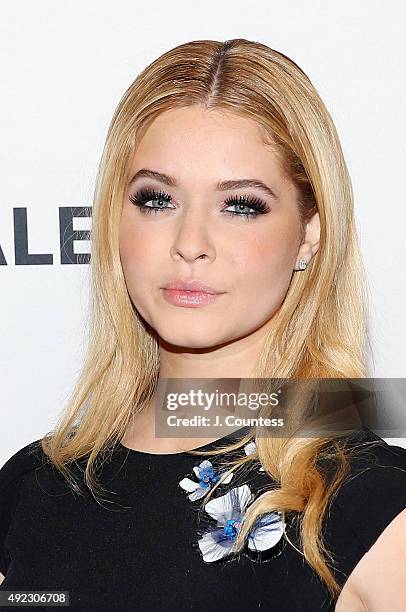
column 138, row 549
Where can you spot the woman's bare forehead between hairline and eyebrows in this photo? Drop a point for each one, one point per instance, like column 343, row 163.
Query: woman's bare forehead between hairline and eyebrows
column 211, row 147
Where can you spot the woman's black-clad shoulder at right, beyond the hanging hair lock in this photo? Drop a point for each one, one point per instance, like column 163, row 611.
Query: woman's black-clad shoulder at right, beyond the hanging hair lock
column 371, row 496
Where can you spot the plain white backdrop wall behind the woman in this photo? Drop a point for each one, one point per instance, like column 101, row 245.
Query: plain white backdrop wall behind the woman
column 64, row 67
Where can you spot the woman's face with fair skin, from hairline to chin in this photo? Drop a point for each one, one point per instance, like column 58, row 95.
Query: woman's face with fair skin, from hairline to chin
column 188, row 232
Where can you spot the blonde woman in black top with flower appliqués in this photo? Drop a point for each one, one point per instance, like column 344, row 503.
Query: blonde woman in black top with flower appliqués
column 222, row 173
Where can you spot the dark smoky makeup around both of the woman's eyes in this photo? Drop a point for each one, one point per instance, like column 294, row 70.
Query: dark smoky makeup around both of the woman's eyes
column 246, row 207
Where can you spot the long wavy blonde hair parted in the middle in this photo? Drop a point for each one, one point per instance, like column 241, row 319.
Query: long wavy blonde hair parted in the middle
column 320, row 329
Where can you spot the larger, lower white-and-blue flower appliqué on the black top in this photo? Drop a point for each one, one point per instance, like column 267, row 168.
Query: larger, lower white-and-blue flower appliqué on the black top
column 229, row 512
